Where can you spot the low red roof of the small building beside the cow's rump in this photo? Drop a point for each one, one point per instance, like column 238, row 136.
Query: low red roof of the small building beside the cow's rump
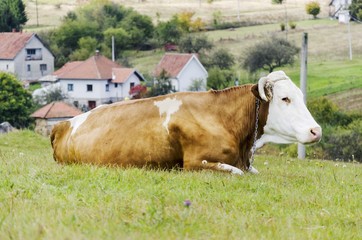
column 56, row 110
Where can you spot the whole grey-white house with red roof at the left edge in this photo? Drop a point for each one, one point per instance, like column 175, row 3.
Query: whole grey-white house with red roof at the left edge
column 25, row 55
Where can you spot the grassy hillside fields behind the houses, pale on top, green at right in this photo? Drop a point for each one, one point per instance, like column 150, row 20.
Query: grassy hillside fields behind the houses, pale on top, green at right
column 330, row 72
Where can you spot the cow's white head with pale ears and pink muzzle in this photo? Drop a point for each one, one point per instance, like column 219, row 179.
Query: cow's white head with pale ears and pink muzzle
column 288, row 119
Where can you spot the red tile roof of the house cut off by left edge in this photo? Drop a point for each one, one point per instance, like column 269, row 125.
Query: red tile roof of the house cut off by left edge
column 12, row 43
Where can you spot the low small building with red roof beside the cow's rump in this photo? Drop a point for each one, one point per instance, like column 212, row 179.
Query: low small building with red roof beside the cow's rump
column 47, row 116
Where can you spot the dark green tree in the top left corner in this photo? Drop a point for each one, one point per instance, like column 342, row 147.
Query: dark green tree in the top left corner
column 13, row 15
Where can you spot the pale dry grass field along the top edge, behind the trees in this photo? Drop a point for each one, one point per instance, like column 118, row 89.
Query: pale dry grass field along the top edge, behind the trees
column 261, row 11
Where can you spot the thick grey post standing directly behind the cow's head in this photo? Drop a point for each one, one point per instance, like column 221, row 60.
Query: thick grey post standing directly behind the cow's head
column 303, row 83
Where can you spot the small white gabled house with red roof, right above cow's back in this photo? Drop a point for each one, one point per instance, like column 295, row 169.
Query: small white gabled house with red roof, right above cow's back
column 183, row 69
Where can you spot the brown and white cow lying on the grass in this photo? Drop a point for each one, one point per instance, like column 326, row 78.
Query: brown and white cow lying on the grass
column 213, row 130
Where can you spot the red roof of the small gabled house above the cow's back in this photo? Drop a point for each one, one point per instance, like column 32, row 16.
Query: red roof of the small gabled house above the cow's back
column 172, row 63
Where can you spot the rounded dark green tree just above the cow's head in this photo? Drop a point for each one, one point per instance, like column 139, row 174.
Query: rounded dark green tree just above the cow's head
column 270, row 54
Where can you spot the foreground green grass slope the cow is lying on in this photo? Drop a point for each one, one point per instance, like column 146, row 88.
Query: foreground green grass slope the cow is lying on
column 290, row 199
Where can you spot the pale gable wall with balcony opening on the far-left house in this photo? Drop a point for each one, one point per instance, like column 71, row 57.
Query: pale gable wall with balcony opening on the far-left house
column 21, row 64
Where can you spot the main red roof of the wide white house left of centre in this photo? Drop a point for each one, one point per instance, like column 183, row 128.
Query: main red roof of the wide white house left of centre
column 95, row 67
